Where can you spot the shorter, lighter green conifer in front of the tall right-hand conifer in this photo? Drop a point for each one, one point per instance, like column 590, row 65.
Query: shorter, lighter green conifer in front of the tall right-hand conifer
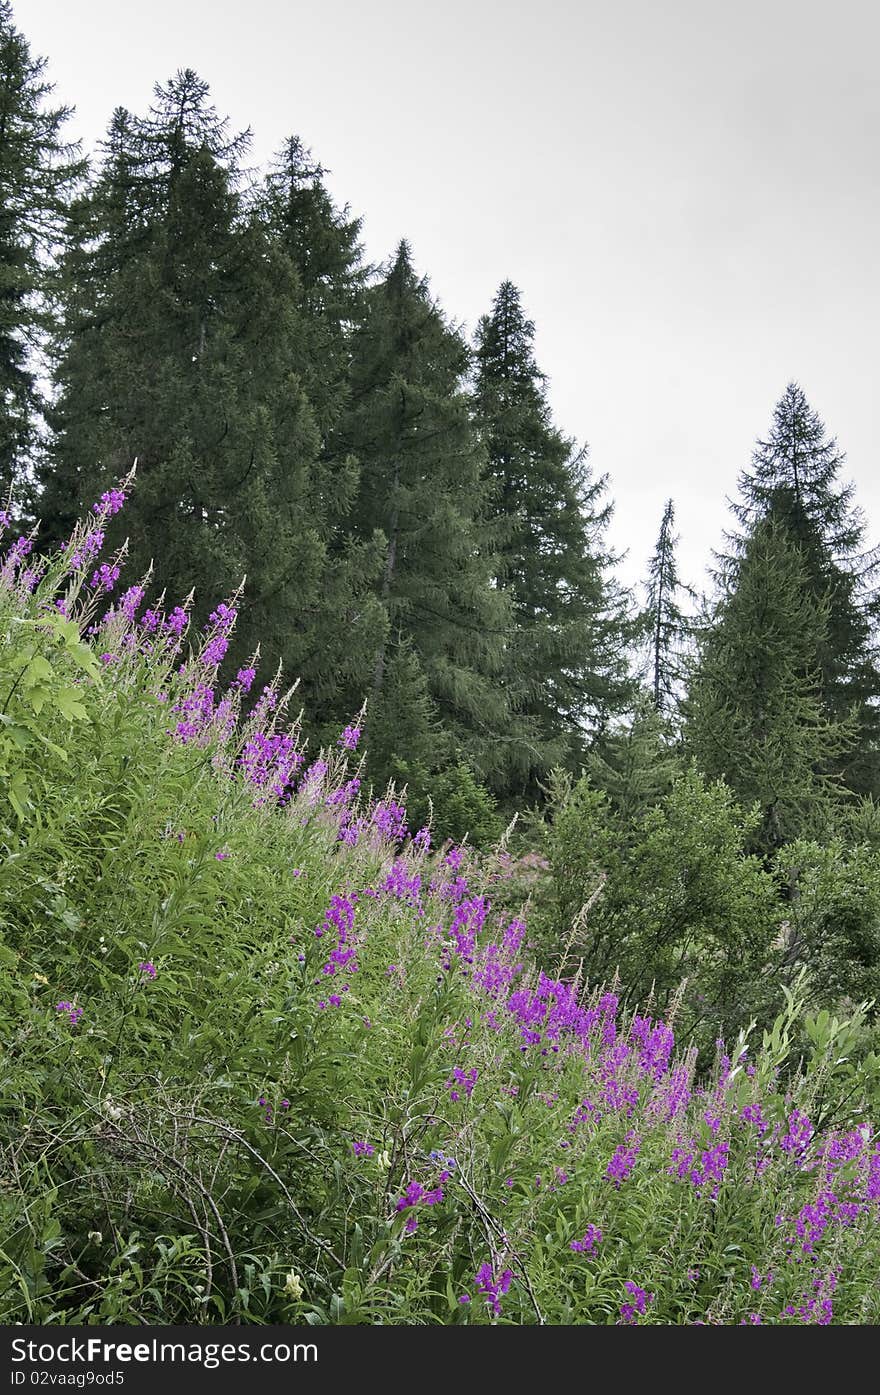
column 755, row 715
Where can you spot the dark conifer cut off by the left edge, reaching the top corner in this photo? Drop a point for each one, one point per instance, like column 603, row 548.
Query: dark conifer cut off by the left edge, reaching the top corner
column 38, row 174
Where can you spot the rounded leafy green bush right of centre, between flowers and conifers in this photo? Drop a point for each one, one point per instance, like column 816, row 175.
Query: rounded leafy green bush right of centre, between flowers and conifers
column 663, row 896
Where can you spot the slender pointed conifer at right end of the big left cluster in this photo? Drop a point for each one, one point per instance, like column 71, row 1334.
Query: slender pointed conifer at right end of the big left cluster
column 567, row 665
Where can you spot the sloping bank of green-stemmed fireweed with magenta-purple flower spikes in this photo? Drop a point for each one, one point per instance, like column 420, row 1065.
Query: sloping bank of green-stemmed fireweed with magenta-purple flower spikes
column 270, row 1057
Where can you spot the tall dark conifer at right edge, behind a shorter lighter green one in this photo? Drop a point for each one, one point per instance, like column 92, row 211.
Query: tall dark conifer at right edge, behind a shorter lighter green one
column 794, row 479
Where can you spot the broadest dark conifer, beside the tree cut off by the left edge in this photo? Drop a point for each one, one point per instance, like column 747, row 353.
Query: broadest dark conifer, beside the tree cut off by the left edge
column 182, row 348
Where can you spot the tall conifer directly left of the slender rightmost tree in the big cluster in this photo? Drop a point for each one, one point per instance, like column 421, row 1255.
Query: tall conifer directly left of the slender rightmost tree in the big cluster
column 422, row 486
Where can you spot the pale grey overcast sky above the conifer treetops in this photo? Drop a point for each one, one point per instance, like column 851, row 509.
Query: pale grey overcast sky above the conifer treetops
column 687, row 195
